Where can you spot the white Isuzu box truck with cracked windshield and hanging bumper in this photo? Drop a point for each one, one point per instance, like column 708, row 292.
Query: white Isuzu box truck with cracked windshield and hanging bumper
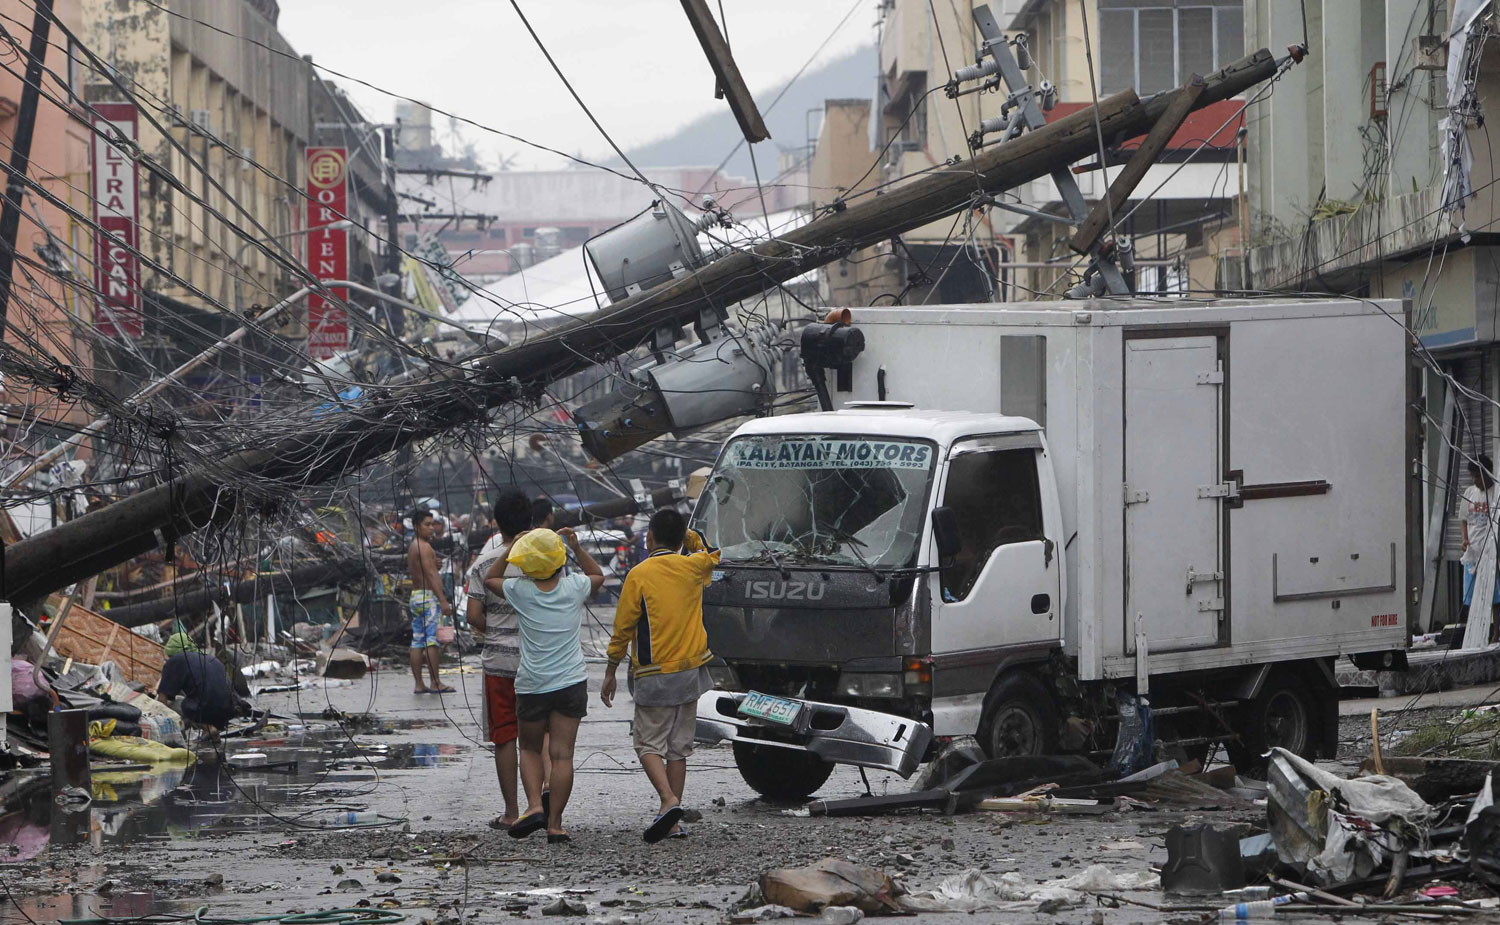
column 1019, row 513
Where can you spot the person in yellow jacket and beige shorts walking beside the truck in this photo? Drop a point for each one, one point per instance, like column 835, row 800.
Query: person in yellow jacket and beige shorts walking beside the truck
column 662, row 614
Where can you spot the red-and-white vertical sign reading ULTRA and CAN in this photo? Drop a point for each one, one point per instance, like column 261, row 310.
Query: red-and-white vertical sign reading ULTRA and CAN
column 118, row 202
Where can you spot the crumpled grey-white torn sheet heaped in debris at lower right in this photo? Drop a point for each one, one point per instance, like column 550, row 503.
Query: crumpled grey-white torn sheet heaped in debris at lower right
column 1340, row 830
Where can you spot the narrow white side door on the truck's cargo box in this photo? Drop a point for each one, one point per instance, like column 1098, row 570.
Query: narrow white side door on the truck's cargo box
column 1174, row 494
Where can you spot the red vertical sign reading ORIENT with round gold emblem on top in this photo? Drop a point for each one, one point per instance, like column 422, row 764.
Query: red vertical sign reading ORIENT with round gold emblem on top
column 328, row 250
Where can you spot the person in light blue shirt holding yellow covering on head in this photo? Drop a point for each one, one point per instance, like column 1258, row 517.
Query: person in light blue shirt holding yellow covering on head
column 551, row 683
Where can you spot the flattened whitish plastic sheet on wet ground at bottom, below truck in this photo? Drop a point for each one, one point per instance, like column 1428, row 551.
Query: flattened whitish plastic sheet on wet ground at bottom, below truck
column 974, row 891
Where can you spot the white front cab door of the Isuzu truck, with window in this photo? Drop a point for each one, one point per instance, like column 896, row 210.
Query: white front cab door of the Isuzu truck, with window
column 1004, row 588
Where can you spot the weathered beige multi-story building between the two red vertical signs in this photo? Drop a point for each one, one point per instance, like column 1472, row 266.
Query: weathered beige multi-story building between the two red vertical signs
column 218, row 80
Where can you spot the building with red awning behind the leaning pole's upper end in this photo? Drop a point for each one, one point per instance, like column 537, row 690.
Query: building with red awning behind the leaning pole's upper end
column 1184, row 217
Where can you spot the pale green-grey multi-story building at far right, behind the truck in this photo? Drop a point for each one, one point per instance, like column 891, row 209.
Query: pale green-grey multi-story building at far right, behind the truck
column 1358, row 164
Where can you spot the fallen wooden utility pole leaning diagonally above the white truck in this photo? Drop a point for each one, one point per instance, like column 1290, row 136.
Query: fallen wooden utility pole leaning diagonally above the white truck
column 386, row 422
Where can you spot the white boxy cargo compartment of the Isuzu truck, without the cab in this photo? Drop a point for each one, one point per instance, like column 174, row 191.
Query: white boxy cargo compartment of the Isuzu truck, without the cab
column 1234, row 474
